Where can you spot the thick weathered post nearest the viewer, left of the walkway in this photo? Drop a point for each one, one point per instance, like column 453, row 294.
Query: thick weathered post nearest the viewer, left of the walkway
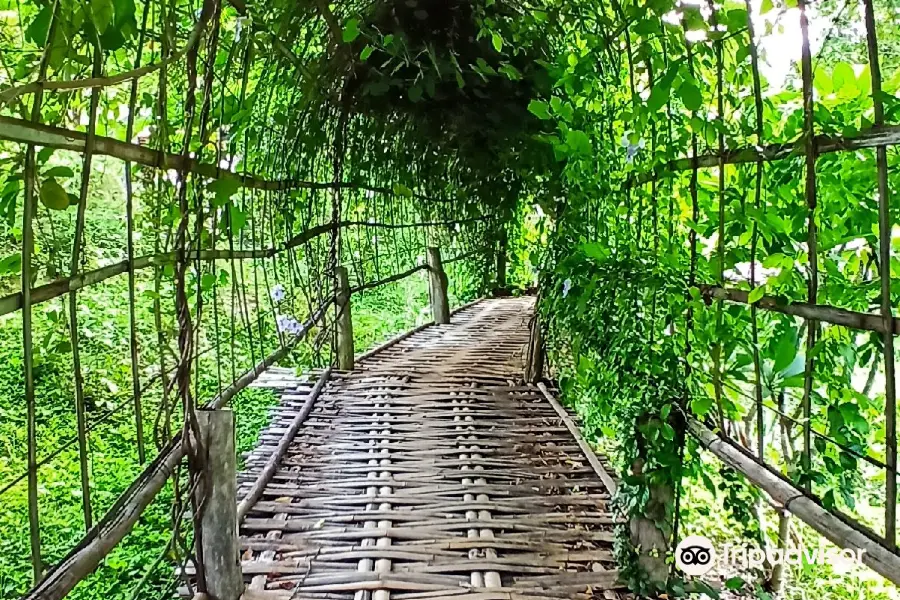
column 221, row 550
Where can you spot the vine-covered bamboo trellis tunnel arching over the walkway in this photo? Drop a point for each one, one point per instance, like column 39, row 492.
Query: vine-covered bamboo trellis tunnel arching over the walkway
column 713, row 244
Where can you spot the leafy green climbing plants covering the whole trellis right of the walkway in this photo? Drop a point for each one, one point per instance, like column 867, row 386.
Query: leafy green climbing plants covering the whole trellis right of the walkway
column 631, row 106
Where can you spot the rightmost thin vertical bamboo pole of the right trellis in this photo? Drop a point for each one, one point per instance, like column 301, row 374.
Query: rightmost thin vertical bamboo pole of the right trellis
column 884, row 251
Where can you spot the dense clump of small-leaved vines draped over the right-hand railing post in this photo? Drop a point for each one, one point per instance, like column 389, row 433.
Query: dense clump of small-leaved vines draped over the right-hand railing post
column 627, row 371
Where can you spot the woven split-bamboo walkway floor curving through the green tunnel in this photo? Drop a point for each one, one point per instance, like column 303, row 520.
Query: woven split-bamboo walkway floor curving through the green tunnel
column 430, row 471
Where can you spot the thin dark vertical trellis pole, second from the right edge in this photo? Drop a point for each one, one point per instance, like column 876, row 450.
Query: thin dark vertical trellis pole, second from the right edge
column 813, row 284
